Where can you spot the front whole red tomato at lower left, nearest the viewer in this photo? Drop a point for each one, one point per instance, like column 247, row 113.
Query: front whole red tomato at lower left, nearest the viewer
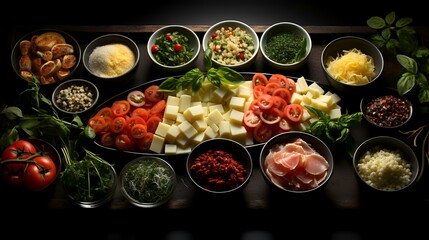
column 37, row 177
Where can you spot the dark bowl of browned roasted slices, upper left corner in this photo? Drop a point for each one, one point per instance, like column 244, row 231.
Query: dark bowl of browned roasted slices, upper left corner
column 50, row 55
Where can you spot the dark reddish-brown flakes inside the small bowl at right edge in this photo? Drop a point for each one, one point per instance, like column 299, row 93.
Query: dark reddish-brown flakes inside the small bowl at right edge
column 387, row 111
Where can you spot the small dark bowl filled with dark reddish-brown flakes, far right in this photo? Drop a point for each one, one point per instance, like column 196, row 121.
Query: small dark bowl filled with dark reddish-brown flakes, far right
column 386, row 109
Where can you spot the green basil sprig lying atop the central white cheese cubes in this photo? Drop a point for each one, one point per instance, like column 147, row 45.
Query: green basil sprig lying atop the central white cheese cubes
column 194, row 78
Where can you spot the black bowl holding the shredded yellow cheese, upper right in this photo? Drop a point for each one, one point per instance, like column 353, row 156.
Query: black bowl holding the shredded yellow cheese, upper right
column 336, row 48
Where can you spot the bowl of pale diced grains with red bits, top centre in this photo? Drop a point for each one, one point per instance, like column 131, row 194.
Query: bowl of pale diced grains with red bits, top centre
column 243, row 56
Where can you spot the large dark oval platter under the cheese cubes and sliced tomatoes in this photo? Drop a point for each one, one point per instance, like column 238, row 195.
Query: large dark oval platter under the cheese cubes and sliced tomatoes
column 255, row 146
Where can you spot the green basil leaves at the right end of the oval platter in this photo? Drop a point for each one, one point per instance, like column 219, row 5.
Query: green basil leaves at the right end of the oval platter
column 335, row 131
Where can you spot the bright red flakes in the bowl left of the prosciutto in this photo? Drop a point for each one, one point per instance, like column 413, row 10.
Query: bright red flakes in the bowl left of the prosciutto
column 217, row 170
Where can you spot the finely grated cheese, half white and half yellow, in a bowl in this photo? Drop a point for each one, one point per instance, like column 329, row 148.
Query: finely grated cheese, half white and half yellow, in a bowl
column 111, row 60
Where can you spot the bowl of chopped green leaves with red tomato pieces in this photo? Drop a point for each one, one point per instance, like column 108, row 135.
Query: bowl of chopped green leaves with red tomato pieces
column 159, row 48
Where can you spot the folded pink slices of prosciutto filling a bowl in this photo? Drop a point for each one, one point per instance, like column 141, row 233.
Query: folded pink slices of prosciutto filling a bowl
column 296, row 166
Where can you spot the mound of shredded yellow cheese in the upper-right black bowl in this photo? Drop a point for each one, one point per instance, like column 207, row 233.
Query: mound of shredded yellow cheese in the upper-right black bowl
column 353, row 67
